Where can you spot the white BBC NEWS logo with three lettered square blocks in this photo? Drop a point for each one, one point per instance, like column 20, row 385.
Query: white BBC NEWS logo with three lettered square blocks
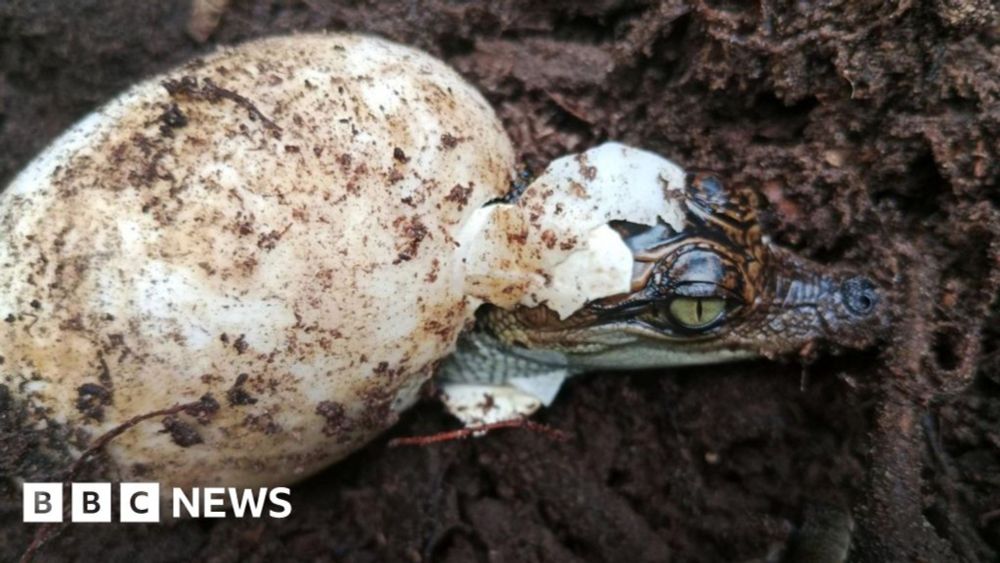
column 140, row 502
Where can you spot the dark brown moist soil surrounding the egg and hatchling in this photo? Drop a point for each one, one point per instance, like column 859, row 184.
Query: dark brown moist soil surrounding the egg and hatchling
column 870, row 128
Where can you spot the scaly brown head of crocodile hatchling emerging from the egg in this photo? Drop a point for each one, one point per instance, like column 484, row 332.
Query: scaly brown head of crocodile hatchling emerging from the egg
column 774, row 303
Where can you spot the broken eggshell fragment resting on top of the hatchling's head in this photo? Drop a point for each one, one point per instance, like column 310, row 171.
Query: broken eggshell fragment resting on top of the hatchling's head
column 554, row 246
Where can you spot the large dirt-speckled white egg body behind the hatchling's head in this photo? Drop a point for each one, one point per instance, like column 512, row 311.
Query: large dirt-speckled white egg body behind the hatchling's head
column 273, row 225
